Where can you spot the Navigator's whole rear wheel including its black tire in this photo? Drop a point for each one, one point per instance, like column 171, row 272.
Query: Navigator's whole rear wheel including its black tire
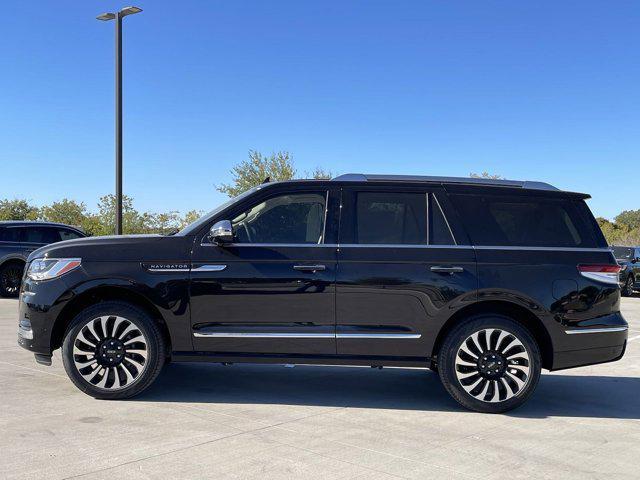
column 502, row 357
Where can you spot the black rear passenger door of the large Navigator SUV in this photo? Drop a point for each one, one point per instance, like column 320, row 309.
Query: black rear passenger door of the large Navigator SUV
column 403, row 269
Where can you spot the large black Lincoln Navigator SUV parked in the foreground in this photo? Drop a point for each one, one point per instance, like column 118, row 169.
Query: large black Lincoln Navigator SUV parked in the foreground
column 484, row 281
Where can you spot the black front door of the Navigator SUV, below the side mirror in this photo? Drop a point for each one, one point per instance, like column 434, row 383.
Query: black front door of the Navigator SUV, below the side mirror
column 272, row 290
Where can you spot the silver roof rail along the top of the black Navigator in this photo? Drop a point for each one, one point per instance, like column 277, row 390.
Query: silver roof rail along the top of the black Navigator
column 359, row 177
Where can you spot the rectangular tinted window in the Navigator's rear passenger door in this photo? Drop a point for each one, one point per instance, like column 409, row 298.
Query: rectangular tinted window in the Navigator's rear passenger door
column 391, row 218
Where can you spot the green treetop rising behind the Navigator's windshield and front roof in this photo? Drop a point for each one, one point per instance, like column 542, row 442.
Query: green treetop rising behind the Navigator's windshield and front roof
column 252, row 172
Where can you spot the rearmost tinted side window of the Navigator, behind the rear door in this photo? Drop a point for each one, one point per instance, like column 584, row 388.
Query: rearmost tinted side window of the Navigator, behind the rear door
column 523, row 221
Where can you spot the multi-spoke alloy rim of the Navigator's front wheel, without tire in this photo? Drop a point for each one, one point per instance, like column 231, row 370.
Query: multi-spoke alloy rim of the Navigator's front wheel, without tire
column 110, row 352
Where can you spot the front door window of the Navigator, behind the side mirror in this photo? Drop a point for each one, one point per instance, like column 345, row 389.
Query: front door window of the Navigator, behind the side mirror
column 295, row 218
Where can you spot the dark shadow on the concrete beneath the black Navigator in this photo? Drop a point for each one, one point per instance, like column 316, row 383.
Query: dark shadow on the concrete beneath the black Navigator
column 391, row 388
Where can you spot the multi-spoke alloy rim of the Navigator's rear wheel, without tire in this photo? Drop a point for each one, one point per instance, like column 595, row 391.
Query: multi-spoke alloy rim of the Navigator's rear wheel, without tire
column 492, row 365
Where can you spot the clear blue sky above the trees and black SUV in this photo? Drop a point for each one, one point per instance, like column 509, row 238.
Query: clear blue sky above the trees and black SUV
column 530, row 90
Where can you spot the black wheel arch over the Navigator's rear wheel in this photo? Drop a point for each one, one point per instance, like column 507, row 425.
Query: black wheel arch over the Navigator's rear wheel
column 516, row 312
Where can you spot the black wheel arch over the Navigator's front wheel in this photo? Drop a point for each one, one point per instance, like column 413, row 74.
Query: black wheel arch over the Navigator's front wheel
column 98, row 294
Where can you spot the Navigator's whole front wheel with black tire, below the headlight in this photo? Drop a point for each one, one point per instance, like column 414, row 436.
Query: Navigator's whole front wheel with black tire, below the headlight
column 129, row 366
